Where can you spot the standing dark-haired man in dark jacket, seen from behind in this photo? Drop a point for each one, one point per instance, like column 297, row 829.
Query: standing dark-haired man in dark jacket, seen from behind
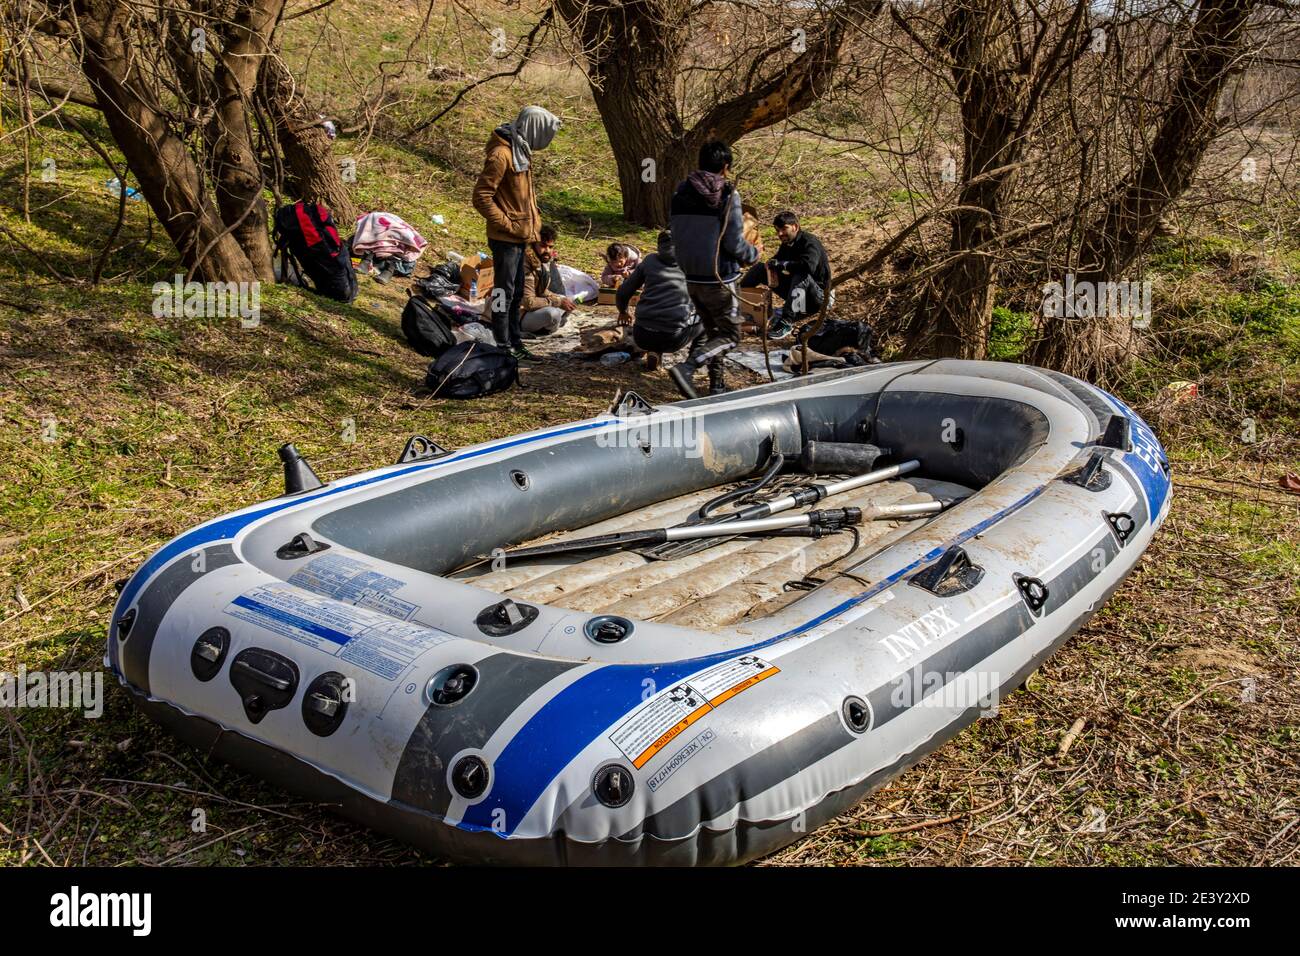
column 708, row 233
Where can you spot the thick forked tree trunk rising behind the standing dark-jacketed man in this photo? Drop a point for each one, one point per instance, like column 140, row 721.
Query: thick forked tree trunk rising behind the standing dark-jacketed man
column 662, row 98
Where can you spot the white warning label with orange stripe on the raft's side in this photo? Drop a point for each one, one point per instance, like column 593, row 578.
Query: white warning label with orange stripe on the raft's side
column 653, row 726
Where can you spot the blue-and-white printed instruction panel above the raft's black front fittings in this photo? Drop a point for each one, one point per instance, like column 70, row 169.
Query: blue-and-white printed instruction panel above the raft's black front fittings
column 371, row 641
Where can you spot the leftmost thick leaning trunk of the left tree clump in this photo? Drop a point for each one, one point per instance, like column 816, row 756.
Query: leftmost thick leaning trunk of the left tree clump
column 170, row 180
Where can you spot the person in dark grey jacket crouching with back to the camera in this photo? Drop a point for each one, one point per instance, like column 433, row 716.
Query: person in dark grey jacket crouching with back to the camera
column 665, row 319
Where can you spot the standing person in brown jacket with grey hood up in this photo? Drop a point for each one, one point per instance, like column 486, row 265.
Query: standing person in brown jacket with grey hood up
column 506, row 200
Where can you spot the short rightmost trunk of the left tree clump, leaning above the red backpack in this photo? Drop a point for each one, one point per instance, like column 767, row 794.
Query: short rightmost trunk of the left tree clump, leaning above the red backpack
column 314, row 176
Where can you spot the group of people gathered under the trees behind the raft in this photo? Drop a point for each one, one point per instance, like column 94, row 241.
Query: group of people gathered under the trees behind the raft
column 690, row 287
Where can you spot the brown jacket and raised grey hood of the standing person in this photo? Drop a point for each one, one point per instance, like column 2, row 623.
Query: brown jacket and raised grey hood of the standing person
column 505, row 194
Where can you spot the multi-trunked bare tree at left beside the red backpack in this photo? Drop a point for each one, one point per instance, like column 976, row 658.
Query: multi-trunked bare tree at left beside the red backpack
column 179, row 88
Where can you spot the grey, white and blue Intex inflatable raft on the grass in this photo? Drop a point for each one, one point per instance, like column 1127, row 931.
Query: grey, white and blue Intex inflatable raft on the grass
column 379, row 644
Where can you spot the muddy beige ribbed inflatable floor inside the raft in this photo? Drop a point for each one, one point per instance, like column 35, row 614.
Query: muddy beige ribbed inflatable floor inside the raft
column 733, row 582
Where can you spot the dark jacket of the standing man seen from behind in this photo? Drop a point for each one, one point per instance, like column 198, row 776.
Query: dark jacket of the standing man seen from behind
column 696, row 223
